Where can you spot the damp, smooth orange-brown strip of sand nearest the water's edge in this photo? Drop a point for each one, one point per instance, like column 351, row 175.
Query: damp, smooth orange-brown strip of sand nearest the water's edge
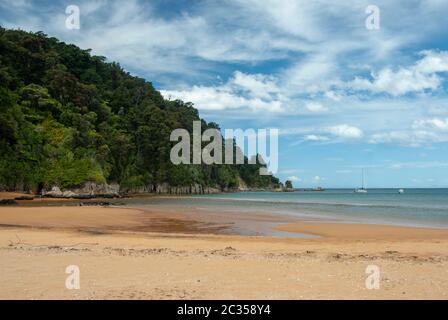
column 171, row 219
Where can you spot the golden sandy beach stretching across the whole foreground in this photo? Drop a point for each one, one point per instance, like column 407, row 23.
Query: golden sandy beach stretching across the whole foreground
column 166, row 254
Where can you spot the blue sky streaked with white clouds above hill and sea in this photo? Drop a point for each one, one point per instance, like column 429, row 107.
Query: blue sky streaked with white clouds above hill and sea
column 343, row 97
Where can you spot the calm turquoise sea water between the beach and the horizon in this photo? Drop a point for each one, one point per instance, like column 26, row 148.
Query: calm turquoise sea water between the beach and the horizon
column 416, row 207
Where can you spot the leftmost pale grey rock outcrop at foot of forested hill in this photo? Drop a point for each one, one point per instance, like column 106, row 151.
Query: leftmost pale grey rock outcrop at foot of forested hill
column 88, row 190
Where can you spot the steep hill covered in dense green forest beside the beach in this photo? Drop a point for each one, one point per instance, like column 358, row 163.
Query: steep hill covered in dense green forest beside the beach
column 68, row 117
